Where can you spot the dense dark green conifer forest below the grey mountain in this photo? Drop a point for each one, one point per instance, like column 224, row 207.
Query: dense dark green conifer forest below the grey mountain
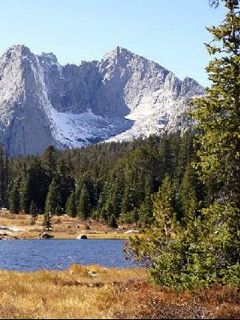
column 113, row 182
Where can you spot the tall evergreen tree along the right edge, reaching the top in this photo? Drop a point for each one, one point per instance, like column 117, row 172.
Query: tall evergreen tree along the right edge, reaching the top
column 218, row 122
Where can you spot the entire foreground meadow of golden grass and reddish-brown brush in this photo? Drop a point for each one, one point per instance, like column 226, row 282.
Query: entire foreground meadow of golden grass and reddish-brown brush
column 96, row 292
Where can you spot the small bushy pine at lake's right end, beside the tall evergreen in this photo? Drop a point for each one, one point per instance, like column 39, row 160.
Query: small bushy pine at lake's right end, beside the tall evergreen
column 156, row 247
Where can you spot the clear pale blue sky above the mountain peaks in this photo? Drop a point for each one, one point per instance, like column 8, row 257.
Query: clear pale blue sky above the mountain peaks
column 170, row 32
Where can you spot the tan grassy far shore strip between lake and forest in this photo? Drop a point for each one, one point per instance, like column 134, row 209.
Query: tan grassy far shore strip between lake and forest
column 18, row 226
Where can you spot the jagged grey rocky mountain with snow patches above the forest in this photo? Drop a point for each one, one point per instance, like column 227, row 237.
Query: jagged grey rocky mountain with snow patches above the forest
column 122, row 97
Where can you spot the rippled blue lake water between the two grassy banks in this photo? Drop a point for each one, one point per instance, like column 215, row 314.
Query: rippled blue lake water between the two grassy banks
column 31, row 255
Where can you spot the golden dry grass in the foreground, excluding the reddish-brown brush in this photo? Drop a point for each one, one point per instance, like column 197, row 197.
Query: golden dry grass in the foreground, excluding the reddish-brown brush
column 78, row 292
